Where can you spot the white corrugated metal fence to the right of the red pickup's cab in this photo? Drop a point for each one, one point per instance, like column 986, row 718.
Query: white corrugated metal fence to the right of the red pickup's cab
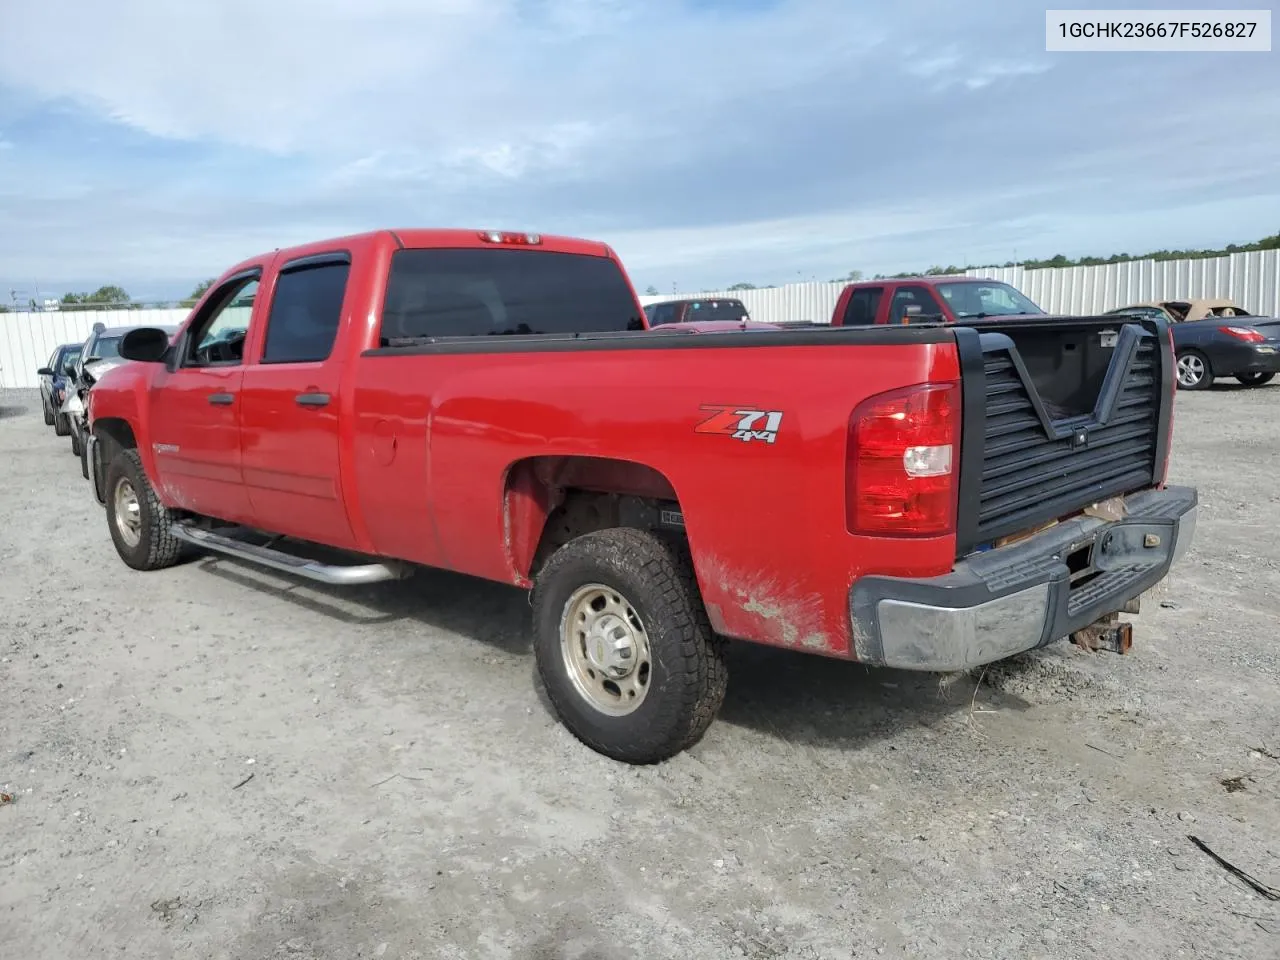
column 1250, row 280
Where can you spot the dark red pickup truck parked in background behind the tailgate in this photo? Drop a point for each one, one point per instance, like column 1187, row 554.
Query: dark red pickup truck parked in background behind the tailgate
column 917, row 300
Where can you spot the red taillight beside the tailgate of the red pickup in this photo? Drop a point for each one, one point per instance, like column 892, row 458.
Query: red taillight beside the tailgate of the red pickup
column 902, row 463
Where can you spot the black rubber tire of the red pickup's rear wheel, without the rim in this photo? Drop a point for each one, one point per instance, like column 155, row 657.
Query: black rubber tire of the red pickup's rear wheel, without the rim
column 687, row 678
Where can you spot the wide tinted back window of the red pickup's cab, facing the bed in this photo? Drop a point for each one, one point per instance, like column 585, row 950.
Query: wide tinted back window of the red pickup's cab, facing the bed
column 491, row 292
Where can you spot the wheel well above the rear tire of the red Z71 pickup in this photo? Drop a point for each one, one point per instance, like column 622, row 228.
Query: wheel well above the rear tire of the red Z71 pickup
column 551, row 501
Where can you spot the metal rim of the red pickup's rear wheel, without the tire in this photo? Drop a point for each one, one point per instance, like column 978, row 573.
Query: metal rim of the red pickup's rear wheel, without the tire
column 606, row 650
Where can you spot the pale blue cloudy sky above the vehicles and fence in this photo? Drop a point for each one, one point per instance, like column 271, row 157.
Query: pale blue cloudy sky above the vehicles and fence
column 153, row 144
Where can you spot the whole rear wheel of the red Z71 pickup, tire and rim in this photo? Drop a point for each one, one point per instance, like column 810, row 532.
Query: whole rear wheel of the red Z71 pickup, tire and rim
column 624, row 646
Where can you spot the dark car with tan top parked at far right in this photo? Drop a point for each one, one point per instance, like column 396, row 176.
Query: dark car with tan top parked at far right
column 1226, row 345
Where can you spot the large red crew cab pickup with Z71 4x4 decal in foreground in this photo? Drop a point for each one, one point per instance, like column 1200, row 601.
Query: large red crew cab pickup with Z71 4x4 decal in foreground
column 493, row 404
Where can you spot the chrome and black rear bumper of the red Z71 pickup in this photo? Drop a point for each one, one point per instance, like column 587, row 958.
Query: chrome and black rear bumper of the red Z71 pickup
column 1017, row 598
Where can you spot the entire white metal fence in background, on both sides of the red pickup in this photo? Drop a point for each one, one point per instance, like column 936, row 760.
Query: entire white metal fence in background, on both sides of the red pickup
column 1250, row 280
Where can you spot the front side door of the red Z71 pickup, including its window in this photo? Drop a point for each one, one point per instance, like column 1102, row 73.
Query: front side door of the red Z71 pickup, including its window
column 195, row 406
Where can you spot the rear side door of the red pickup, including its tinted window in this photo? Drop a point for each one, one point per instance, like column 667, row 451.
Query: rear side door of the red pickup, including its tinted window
column 291, row 405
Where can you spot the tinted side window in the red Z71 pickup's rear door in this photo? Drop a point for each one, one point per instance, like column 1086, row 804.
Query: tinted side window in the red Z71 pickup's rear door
column 305, row 314
